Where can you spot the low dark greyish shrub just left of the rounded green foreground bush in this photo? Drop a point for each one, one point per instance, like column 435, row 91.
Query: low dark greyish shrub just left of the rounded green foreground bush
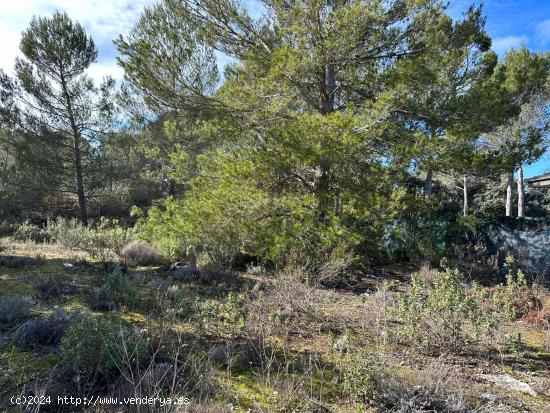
column 43, row 331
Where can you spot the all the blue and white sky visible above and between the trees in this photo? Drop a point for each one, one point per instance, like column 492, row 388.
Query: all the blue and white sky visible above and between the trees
column 509, row 22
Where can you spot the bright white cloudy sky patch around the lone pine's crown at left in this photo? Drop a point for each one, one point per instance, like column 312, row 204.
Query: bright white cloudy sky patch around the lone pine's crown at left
column 104, row 20
